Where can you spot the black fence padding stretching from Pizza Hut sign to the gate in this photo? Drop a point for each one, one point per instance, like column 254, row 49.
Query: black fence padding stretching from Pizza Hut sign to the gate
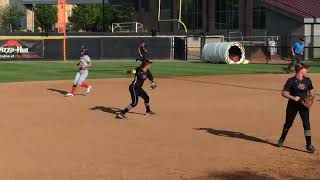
column 109, row 48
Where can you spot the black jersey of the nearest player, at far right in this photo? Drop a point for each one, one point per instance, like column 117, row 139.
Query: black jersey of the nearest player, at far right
column 298, row 88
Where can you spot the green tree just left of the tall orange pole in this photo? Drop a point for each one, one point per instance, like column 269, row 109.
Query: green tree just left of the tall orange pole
column 45, row 17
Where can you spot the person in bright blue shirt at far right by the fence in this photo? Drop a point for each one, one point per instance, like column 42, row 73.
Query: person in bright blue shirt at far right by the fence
column 297, row 51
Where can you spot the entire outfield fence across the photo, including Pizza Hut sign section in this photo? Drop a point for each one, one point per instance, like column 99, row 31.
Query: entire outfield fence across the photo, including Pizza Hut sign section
column 258, row 49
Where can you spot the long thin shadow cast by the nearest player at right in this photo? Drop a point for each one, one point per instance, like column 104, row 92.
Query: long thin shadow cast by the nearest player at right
column 239, row 135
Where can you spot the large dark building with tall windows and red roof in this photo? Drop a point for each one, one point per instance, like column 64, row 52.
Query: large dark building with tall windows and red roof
column 288, row 19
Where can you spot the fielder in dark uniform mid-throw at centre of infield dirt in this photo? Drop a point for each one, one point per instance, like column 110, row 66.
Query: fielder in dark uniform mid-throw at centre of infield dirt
column 137, row 91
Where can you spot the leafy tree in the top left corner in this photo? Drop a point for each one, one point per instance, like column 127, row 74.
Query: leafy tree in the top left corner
column 11, row 17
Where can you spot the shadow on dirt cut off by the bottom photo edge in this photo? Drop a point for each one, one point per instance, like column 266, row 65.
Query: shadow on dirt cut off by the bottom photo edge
column 238, row 175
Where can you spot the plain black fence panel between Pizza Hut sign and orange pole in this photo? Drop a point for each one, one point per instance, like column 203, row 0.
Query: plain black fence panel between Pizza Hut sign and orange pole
column 53, row 49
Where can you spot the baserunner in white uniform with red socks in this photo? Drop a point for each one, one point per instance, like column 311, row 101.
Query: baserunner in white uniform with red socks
column 84, row 64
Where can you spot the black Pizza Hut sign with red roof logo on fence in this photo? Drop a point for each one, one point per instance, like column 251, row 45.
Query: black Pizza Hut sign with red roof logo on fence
column 13, row 49
